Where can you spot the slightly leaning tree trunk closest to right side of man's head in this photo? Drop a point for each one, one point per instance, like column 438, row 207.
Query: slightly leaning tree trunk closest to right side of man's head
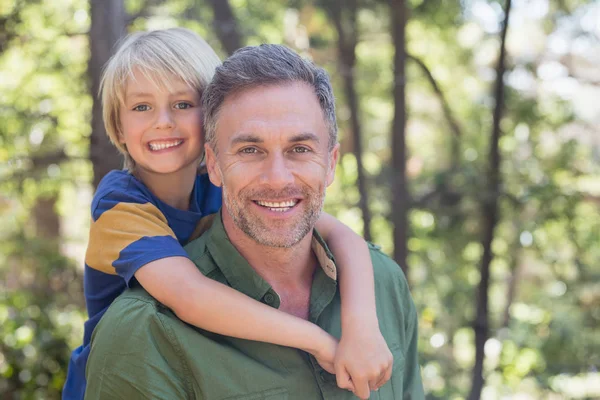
column 347, row 41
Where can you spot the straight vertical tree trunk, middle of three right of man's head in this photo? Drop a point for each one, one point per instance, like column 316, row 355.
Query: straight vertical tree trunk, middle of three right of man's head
column 400, row 194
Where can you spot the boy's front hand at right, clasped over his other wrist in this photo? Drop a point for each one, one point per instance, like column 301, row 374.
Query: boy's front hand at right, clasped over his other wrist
column 363, row 361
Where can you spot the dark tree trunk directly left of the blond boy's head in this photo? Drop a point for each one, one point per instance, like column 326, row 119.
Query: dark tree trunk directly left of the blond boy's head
column 108, row 26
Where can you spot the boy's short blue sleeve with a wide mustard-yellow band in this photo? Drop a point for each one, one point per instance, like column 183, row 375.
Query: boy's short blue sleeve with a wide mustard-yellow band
column 126, row 233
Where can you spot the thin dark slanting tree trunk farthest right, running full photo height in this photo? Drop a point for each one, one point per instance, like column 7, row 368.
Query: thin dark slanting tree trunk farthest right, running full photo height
column 490, row 216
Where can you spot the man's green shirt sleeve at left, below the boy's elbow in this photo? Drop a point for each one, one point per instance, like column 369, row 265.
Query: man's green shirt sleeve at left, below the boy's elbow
column 132, row 358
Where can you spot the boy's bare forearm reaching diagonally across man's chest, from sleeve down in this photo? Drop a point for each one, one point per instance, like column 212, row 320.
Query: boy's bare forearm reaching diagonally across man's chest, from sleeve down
column 212, row 306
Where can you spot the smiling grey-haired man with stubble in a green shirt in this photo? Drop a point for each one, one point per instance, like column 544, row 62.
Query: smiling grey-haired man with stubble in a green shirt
column 272, row 145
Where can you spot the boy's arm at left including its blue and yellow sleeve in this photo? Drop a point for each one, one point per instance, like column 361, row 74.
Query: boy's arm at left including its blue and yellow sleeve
column 130, row 237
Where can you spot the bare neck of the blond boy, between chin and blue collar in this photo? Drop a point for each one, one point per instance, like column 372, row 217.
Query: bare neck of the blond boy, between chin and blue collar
column 173, row 189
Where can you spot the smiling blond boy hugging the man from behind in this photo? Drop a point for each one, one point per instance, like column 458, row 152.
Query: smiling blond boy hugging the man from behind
column 142, row 217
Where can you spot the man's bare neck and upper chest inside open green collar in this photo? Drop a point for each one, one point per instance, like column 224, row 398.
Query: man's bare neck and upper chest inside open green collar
column 289, row 271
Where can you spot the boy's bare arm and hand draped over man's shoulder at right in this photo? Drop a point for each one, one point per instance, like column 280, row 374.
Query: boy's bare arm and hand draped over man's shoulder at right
column 363, row 361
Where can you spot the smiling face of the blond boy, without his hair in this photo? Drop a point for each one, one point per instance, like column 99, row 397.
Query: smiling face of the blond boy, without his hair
column 161, row 128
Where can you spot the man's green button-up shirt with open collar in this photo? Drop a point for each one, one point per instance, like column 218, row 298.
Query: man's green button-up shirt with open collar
column 141, row 350
